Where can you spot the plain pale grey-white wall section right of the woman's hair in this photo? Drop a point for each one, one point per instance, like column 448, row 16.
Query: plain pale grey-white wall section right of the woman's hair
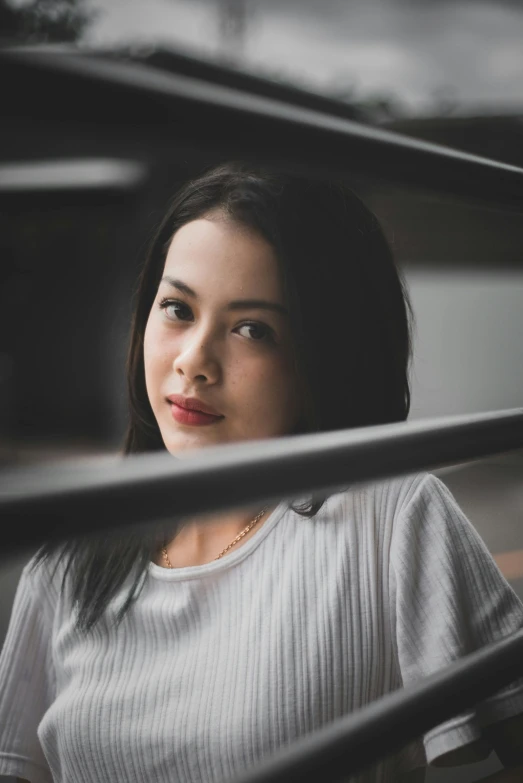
column 468, row 341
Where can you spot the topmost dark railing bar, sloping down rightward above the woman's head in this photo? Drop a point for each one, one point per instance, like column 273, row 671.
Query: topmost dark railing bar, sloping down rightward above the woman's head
column 183, row 108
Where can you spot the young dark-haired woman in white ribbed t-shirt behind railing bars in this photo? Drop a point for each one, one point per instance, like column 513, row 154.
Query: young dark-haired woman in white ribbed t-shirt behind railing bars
column 269, row 305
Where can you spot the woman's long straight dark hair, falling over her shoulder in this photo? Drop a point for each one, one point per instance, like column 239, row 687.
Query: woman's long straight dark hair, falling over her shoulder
column 350, row 320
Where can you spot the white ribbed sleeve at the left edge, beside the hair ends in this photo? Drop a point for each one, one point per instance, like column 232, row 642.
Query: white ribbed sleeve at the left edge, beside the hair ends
column 26, row 680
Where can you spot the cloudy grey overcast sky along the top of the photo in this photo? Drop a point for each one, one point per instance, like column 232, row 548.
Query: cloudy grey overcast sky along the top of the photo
column 420, row 51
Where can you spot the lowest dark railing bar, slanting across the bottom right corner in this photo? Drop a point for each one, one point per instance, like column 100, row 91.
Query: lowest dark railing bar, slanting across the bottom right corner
column 362, row 738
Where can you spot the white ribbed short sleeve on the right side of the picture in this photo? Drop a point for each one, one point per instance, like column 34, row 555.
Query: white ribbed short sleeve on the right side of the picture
column 449, row 599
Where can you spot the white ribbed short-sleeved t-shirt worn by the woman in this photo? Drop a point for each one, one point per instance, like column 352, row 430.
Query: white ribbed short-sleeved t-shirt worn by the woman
column 218, row 666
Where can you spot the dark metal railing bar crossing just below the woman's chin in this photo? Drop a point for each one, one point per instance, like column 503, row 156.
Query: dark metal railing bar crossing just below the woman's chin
column 72, row 499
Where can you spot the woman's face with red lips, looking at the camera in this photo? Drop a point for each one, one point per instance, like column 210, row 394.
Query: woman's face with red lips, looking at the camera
column 219, row 333
